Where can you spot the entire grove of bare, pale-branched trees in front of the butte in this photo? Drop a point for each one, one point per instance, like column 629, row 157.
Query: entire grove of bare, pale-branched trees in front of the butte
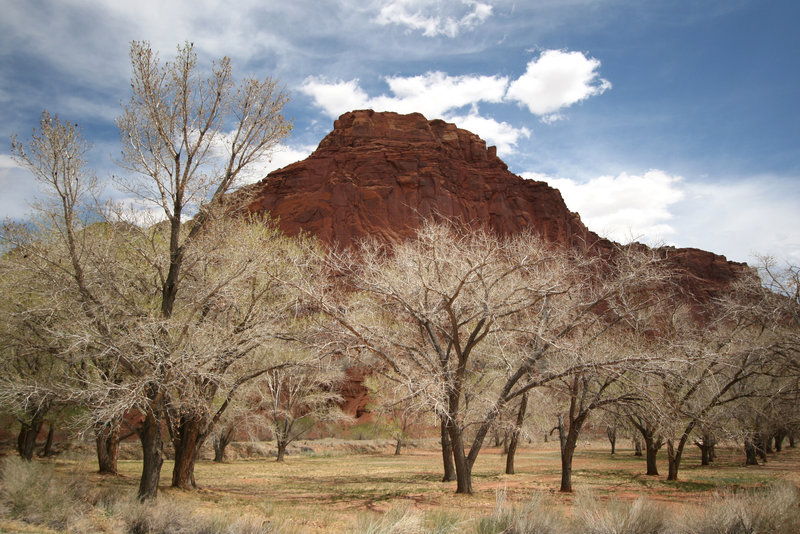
column 188, row 326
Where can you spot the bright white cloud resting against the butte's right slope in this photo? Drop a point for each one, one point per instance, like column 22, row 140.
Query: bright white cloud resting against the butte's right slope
column 623, row 207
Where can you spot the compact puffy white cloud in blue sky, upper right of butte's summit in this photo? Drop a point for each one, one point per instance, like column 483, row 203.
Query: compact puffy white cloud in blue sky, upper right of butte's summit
column 556, row 80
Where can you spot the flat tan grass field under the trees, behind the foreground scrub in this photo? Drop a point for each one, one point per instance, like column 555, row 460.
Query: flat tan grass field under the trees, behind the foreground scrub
column 330, row 488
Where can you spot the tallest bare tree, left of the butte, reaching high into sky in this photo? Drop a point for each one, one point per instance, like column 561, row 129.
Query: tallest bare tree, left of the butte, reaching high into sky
column 187, row 137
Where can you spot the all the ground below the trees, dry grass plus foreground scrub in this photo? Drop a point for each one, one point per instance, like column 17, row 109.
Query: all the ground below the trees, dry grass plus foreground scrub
column 54, row 496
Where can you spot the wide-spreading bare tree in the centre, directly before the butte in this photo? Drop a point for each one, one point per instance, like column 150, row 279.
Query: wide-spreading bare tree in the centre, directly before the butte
column 465, row 319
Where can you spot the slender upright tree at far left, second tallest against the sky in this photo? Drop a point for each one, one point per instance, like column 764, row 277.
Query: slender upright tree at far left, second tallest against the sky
column 58, row 253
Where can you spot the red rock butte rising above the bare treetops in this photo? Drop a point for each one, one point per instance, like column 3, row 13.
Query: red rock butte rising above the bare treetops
column 382, row 174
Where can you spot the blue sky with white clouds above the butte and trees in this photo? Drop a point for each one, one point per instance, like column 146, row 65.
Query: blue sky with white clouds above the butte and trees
column 667, row 121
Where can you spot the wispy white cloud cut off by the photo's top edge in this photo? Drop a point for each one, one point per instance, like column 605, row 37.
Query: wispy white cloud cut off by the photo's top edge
column 433, row 17
